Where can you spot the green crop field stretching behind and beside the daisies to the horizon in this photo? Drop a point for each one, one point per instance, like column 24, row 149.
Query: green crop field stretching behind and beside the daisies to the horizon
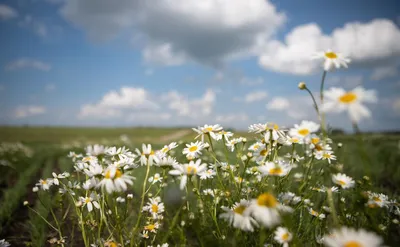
column 28, row 154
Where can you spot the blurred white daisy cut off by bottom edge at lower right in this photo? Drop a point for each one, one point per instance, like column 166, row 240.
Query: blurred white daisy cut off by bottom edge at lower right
column 349, row 237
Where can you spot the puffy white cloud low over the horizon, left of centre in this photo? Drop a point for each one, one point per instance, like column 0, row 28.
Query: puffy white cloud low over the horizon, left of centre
column 114, row 103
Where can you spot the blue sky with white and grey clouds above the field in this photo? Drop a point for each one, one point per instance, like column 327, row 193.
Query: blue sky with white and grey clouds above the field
column 191, row 62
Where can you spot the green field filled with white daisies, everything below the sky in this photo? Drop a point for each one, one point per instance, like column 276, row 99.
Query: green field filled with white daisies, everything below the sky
column 296, row 185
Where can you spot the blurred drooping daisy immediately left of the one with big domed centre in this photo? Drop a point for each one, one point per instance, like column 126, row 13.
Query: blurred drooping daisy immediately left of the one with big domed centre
column 238, row 216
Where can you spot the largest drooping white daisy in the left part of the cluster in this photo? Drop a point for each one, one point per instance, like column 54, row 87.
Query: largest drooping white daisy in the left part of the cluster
column 115, row 180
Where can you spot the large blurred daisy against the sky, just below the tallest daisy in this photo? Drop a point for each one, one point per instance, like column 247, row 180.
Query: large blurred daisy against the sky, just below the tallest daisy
column 338, row 100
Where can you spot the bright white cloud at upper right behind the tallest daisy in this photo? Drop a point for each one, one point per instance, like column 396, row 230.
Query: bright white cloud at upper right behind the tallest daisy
column 365, row 43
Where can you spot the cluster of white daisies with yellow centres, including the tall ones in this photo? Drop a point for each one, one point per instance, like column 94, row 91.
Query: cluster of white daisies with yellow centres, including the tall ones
column 236, row 183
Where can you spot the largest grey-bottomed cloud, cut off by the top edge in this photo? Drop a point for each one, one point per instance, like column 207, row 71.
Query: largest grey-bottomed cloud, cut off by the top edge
column 175, row 31
